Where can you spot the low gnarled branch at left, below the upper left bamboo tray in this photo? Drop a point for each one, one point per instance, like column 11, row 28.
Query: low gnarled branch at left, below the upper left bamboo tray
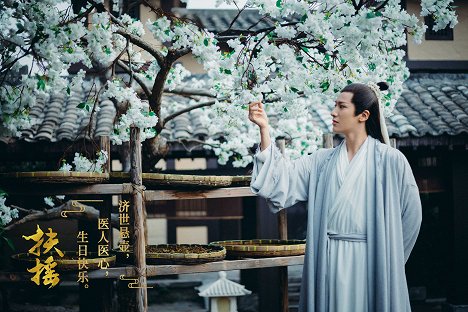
column 90, row 214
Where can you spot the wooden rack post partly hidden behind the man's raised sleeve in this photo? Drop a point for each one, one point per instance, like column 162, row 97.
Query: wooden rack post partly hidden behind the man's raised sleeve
column 283, row 234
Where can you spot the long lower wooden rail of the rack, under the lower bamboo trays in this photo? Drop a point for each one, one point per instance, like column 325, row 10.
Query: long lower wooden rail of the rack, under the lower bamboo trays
column 160, row 270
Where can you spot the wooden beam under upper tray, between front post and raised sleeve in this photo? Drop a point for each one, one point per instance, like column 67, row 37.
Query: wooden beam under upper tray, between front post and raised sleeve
column 198, row 194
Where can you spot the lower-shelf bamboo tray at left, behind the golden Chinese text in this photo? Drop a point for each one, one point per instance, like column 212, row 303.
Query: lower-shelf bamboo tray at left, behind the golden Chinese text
column 28, row 261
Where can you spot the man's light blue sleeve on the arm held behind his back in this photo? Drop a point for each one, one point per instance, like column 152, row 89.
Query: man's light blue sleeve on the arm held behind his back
column 411, row 211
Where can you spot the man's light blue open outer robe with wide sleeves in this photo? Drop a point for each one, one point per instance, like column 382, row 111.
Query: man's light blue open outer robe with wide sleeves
column 393, row 217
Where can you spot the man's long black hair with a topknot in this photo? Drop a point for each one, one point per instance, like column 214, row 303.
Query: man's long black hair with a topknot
column 364, row 98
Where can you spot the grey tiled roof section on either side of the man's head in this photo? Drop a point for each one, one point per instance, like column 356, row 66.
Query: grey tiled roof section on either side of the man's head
column 431, row 104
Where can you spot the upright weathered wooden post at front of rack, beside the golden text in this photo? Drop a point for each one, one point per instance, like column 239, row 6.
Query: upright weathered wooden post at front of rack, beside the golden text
column 139, row 243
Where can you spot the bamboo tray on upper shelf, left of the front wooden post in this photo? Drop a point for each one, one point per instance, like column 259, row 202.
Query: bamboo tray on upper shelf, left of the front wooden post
column 54, row 177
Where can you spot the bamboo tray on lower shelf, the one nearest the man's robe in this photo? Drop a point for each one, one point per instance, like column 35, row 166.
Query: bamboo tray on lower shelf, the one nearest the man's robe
column 260, row 248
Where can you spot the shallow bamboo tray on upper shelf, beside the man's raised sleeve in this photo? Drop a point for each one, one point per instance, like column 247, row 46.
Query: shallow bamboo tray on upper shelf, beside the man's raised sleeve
column 158, row 179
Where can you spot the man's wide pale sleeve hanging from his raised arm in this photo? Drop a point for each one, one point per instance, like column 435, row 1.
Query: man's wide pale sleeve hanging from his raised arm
column 281, row 181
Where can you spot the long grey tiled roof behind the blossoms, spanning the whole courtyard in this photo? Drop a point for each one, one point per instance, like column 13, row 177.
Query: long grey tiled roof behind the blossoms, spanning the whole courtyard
column 431, row 104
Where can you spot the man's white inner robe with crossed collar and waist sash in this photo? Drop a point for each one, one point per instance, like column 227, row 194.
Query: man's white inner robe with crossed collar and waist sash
column 347, row 261
